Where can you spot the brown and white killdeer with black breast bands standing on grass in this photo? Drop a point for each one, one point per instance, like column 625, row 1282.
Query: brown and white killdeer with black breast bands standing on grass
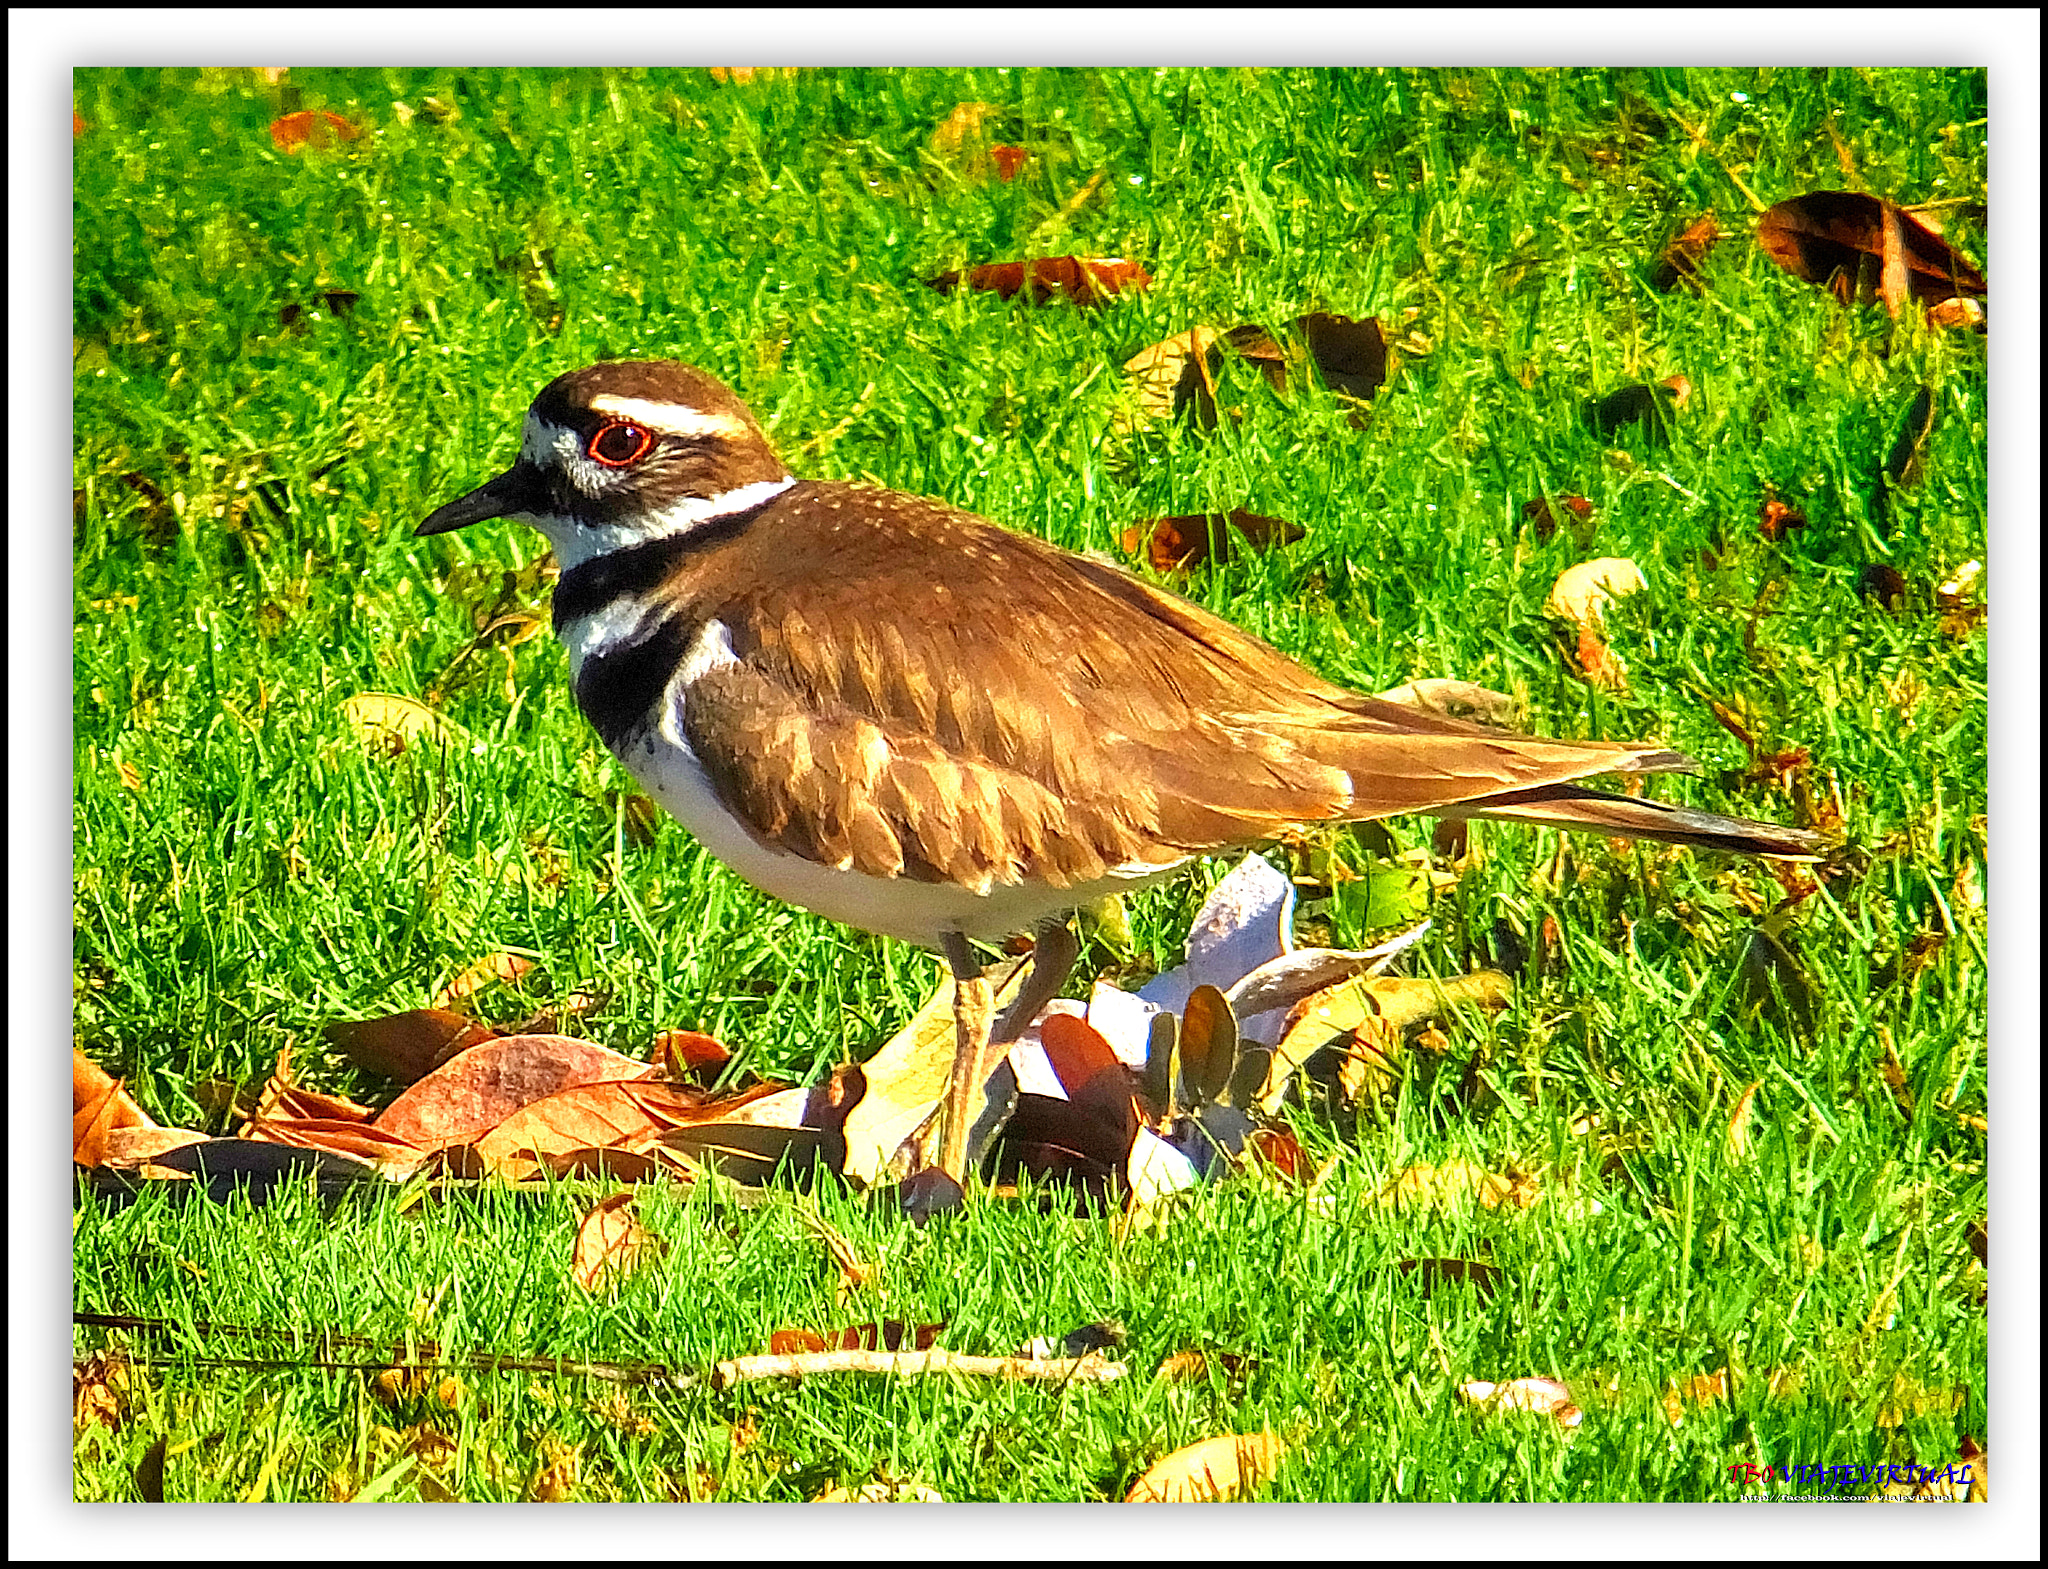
column 912, row 722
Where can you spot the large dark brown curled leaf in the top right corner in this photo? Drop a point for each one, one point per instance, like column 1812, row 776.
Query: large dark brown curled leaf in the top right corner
column 1865, row 247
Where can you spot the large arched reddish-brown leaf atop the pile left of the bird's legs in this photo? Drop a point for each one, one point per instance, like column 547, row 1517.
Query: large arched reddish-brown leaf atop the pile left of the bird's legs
column 484, row 1085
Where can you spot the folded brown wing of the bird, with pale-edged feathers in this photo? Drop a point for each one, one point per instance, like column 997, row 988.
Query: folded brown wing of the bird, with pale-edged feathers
column 1019, row 712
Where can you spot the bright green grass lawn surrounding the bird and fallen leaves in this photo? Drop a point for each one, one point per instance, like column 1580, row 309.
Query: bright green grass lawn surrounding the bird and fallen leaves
column 249, row 872
